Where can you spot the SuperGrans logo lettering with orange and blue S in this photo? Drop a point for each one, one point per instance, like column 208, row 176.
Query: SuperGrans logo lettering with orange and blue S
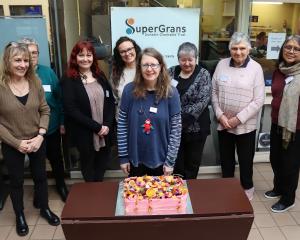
column 158, row 30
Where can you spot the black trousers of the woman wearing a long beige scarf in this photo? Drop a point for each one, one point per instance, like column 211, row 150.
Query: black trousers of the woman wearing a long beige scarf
column 285, row 164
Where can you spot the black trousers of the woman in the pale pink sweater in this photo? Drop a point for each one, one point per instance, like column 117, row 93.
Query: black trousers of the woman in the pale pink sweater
column 245, row 148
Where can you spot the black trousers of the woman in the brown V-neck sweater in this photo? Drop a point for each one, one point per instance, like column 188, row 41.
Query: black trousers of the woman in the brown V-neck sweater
column 14, row 161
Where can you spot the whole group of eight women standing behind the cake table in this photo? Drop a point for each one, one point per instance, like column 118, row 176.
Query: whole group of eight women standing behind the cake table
column 160, row 115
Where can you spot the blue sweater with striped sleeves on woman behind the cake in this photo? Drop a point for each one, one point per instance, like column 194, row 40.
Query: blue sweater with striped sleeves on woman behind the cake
column 161, row 145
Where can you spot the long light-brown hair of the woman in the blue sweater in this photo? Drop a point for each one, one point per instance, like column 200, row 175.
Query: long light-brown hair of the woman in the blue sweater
column 163, row 84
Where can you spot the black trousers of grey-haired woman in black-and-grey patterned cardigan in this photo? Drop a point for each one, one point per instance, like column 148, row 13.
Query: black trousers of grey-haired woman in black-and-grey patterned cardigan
column 189, row 156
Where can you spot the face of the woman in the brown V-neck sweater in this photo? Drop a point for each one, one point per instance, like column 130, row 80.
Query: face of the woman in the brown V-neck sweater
column 19, row 65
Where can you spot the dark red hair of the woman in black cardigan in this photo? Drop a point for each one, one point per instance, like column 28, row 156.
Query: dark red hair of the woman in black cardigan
column 73, row 68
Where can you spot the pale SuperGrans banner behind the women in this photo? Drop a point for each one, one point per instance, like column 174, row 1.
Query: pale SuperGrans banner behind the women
column 159, row 27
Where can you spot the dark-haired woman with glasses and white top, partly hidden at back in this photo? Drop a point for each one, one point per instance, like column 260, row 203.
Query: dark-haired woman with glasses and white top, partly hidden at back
column 123, row 66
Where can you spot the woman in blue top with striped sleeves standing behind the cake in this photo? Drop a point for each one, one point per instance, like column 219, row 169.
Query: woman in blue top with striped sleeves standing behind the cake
column 149, row 124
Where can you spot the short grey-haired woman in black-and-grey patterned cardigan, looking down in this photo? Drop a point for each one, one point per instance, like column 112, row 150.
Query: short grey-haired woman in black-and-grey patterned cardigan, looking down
column 194, row 86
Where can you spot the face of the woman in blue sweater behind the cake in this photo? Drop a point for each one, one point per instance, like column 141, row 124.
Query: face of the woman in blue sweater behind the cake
column 150, row 69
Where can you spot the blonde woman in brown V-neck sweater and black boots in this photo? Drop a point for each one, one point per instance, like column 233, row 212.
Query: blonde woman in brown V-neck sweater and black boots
column 21, row 94
